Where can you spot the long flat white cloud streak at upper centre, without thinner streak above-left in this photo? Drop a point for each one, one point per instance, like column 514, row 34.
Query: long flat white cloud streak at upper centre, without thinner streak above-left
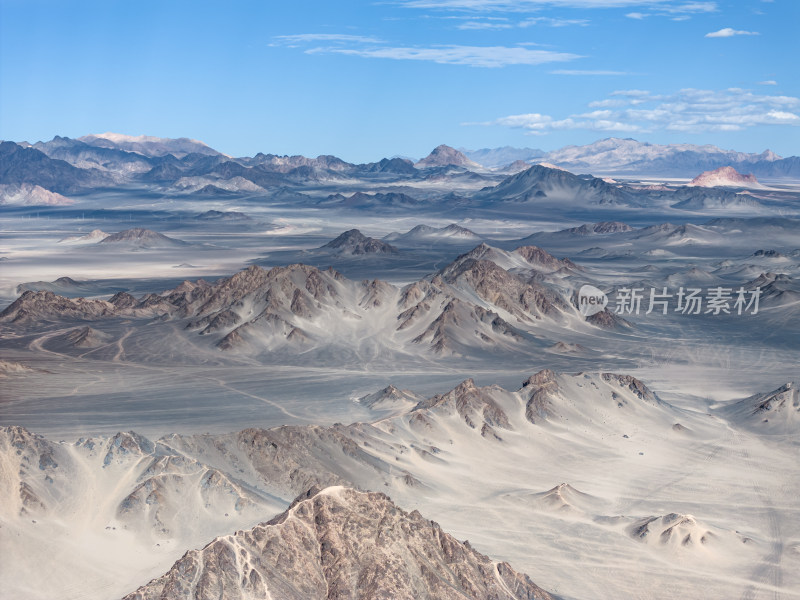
column 473, row 56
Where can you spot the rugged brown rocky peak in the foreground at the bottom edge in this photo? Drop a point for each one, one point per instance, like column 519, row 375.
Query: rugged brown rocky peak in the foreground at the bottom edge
column 337, row 544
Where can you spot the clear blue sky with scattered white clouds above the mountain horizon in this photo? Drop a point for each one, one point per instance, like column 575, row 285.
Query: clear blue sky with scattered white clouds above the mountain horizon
column 364, row 80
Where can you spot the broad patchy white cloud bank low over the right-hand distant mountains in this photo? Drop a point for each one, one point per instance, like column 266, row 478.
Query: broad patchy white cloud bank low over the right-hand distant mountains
column 688, row 111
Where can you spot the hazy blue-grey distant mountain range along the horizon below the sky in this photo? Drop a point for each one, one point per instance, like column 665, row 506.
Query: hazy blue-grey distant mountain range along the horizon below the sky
column 184, row 166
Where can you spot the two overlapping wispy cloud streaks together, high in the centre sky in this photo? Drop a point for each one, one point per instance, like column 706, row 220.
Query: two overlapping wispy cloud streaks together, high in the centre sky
column 473, row 56
